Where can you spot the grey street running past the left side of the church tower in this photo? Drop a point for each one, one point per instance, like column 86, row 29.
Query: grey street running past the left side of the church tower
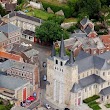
column 44, row 53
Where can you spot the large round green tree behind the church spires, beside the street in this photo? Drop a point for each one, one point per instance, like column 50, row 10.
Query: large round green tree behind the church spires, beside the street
column 50, row 31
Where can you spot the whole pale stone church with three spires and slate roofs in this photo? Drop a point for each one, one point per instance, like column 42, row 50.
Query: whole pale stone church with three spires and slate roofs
column 71, row 80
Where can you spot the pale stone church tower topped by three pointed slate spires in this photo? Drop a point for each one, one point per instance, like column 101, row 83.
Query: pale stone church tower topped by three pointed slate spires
column 62, row 73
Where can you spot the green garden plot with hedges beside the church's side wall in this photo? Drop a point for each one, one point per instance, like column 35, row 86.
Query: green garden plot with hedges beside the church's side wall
column 91, row 102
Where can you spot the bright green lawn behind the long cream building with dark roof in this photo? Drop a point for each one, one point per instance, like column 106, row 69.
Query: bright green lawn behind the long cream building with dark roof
column 38, row 13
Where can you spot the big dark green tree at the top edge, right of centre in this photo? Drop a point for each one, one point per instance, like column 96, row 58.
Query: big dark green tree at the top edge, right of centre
column 91, row 7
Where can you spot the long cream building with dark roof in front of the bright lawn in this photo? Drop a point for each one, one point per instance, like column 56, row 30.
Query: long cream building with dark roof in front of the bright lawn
column 22, row 20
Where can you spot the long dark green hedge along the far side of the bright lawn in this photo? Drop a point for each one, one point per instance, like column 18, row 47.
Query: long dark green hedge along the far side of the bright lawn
column 55, row 8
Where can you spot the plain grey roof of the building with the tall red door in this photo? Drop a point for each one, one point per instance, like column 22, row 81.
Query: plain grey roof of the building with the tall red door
column 10, row 82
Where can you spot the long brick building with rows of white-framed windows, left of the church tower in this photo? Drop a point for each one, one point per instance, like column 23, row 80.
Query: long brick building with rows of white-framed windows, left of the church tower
column 22, row 70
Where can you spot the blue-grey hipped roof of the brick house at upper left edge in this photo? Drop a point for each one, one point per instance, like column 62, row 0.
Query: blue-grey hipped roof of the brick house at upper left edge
column 8, row 28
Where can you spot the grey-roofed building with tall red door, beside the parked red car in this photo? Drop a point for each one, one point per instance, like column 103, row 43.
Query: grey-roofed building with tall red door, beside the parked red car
column 19, row 90
